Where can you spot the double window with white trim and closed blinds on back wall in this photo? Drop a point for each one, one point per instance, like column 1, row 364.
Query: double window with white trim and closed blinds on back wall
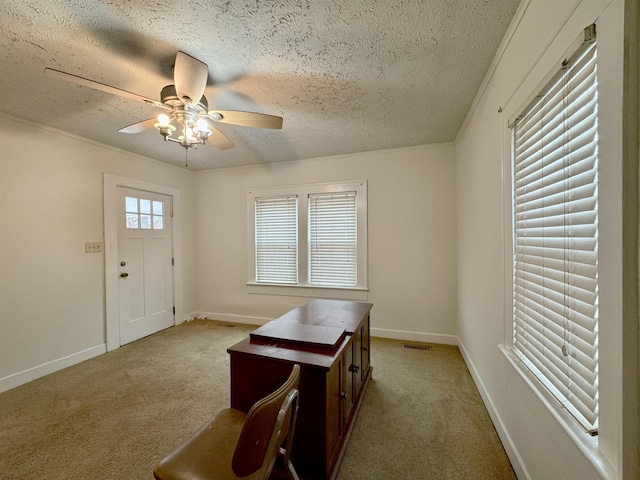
column 309, row 236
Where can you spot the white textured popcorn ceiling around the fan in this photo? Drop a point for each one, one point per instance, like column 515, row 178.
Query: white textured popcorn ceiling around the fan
column 346, row 75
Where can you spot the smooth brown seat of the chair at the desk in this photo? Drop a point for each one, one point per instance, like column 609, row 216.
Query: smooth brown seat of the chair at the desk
column 207, row 454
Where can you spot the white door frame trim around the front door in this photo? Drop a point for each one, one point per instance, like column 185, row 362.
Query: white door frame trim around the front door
column 110, row 192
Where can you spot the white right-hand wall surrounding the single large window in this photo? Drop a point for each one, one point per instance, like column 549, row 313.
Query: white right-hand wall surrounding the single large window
column 538, row 446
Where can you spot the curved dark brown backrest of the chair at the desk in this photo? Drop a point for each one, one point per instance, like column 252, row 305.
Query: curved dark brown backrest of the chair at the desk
column 267, row 425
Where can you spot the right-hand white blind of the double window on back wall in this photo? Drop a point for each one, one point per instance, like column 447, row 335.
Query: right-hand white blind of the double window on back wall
column 333, row 245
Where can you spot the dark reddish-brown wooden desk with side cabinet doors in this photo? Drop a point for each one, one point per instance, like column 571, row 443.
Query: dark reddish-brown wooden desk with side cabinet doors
column 332, row 380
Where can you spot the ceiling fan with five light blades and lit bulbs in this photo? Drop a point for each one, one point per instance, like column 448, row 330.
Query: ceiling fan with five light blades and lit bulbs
column 184, row 105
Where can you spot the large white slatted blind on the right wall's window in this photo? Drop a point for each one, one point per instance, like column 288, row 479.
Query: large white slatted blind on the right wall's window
column 555, row 208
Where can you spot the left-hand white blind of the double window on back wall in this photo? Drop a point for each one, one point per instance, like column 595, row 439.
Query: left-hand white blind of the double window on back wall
column 276, row 237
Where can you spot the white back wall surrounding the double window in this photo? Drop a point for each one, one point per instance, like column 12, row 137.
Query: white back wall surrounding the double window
column 412, row 231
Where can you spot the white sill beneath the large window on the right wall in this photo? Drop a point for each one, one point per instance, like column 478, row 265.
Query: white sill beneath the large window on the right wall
column 587, row 444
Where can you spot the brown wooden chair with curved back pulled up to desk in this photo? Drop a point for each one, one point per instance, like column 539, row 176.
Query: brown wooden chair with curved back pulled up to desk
column 234, row 445
